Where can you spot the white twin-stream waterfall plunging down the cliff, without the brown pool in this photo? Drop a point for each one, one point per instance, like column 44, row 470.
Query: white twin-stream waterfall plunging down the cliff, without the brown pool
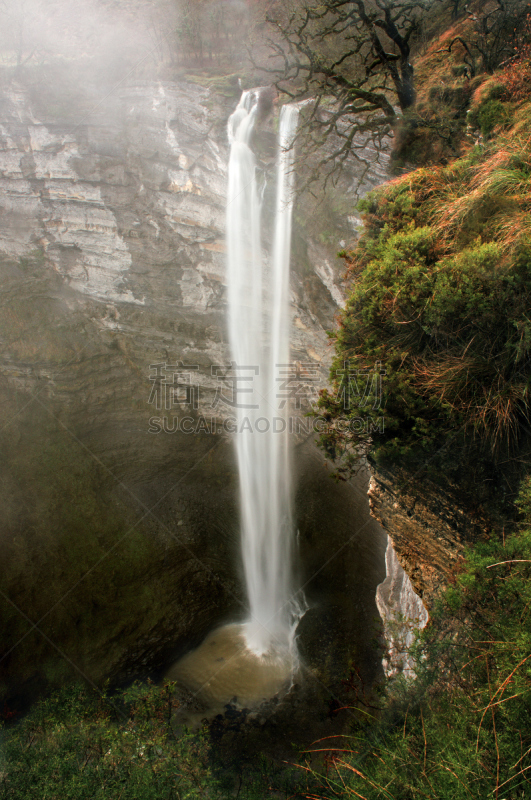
column 259, row 316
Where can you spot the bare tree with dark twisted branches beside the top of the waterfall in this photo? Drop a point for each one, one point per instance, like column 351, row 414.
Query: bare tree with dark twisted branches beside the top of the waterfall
column 351, row 62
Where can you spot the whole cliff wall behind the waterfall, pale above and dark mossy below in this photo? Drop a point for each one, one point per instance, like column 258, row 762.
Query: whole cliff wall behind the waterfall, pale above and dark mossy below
column 120, row 535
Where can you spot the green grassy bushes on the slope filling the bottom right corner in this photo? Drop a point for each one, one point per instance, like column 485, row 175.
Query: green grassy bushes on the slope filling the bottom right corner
column 462, row 729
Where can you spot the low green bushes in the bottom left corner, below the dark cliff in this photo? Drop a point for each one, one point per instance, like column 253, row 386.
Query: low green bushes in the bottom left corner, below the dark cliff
column 75, row 745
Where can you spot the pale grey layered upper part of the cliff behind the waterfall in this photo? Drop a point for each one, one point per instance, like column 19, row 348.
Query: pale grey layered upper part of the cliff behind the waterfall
column 125, row 215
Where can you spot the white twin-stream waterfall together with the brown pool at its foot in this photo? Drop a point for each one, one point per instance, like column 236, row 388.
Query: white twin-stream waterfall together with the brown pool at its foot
column 250, row 662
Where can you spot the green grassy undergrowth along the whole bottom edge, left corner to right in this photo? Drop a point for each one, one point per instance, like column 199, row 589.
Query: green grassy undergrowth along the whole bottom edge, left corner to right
column 460, row 731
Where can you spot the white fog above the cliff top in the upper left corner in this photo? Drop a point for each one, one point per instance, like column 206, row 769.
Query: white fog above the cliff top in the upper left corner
column 97, row 43
